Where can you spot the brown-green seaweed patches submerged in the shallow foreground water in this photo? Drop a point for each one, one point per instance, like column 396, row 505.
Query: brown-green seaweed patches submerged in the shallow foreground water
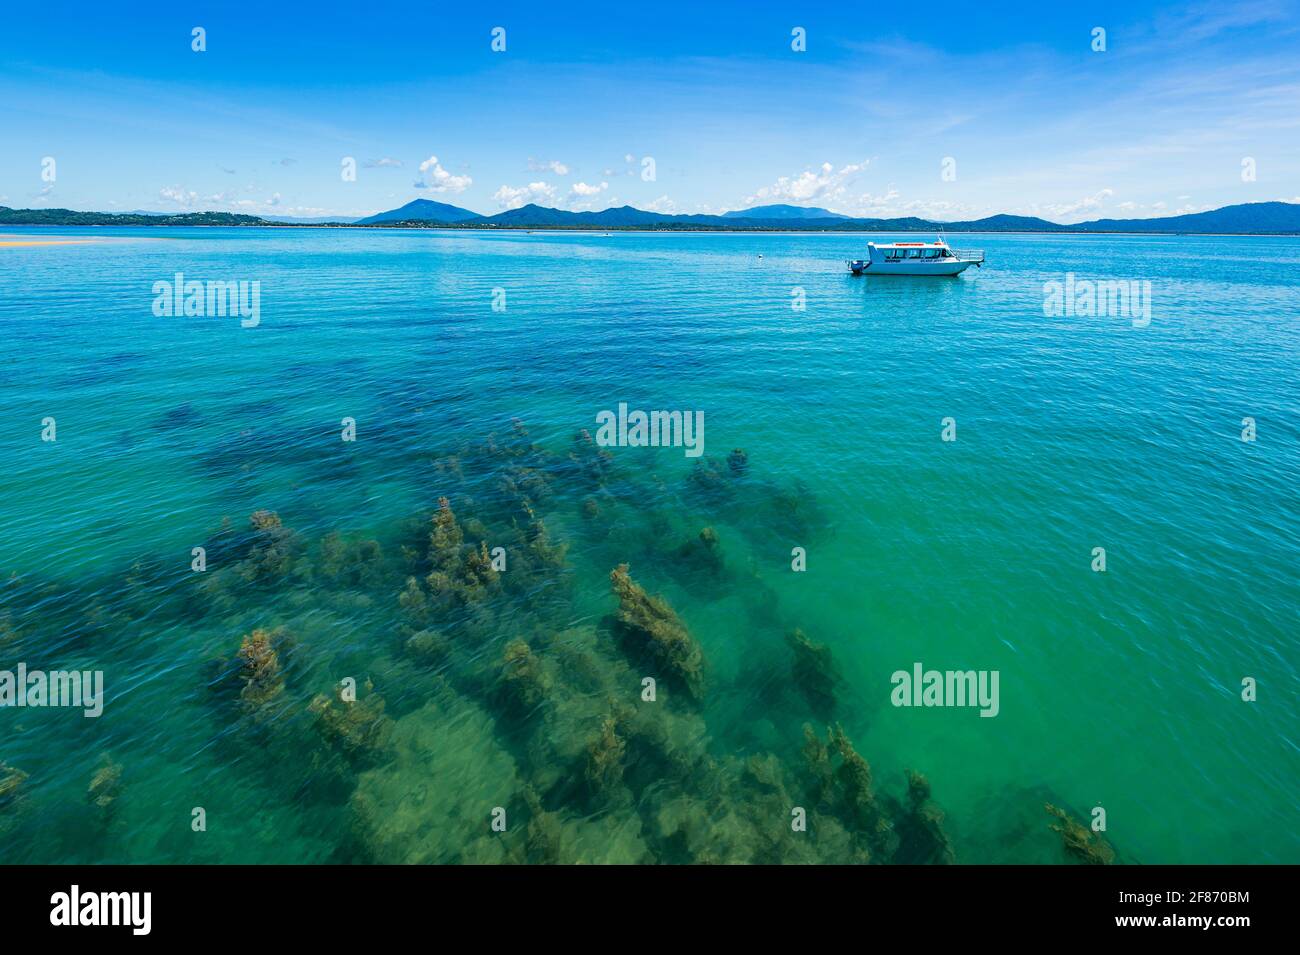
column 439, row 691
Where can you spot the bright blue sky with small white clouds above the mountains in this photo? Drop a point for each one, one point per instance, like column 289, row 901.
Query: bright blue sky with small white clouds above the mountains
column 1033, row 119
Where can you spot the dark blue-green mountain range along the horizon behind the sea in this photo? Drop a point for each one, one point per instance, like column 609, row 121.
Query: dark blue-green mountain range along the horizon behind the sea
column 1243, row 219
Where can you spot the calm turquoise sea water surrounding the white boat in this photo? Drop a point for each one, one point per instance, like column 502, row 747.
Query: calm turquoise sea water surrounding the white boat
column 1117, row 691
